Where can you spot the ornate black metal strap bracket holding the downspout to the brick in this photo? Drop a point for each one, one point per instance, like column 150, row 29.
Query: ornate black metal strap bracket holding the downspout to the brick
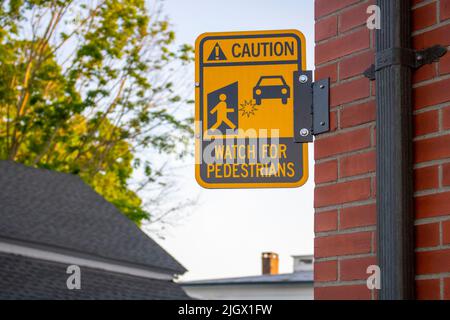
column 406, row 57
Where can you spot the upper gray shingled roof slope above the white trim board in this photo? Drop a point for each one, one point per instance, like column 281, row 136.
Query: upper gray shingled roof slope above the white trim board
column 60, row 211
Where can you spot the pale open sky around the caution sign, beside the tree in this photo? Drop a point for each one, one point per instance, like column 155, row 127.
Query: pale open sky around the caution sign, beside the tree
column 227, row 231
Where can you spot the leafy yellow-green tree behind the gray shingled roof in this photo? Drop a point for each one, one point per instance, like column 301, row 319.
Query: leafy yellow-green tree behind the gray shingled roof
column 85, row 87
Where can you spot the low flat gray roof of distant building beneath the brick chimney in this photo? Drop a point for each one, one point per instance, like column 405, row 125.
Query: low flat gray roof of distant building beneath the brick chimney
column 286, row 278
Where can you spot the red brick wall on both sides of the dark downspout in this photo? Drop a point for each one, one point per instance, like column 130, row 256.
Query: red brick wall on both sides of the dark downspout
column 345, row 199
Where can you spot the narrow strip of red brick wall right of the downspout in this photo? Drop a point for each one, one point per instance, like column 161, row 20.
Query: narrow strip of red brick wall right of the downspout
column 431, row 25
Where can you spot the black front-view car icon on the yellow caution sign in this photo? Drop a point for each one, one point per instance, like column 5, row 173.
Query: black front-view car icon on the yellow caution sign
column 271, row 87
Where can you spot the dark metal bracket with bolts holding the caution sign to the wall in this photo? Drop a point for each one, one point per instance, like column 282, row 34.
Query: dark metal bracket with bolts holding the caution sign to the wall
column 311, row 106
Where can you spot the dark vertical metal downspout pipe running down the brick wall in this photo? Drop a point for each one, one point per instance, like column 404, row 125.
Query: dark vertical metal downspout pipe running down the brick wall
column 395, row 209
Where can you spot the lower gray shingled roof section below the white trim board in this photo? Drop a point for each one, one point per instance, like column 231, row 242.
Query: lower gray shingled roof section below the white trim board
column 26, row 278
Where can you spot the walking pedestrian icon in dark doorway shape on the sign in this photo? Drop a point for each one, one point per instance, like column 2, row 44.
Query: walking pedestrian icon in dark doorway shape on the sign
column 223, row 113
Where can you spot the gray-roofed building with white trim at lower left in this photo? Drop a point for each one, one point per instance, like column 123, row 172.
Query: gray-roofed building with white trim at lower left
column 53, row 225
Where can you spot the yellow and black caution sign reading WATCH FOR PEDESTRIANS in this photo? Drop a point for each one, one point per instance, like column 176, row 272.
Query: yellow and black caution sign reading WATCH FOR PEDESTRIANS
column 245, row 110
